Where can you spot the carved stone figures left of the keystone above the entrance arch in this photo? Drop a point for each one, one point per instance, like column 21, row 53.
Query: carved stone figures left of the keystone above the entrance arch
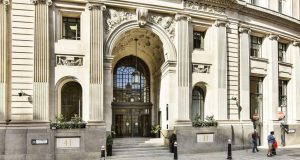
column 115, row 17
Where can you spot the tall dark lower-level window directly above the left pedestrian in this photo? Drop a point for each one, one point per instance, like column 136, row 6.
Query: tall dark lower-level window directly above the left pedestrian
column 256, row 96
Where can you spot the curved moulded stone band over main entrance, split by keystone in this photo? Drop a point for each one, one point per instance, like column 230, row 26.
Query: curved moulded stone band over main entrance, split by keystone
column 169, row 48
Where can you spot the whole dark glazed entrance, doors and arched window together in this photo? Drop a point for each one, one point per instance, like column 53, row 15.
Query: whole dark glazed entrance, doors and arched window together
column 131, row 98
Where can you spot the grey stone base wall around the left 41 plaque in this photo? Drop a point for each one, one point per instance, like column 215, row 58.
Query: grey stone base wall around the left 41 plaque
column 16, row 144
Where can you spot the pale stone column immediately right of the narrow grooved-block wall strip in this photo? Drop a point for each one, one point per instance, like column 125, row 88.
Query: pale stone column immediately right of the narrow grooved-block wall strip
column 244, row 100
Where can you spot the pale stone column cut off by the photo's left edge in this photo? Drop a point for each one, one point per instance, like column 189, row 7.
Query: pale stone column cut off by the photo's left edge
column 3, row 58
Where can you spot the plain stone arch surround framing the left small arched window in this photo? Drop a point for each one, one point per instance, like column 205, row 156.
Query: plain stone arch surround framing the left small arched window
column 59, row 85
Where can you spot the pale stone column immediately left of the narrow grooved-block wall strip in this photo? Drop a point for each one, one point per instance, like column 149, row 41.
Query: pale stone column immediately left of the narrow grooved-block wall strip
column 221, row 66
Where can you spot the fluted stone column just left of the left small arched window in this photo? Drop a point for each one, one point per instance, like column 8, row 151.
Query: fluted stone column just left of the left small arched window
column 41, row 61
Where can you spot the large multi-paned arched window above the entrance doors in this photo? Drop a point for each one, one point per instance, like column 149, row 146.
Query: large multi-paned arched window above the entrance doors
column 125, row 89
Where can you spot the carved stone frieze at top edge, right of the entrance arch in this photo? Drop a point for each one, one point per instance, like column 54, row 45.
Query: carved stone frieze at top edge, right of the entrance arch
column 198, row 6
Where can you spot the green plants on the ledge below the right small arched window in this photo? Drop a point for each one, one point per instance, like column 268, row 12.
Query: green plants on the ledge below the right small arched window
column 207, row 122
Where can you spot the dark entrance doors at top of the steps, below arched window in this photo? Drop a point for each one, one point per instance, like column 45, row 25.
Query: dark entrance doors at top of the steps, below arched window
column 132, row 122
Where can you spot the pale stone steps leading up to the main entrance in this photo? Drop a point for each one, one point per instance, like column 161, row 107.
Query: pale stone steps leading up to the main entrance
column 132, row 148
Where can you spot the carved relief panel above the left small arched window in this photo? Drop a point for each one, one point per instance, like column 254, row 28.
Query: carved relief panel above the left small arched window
column 66, row 60
